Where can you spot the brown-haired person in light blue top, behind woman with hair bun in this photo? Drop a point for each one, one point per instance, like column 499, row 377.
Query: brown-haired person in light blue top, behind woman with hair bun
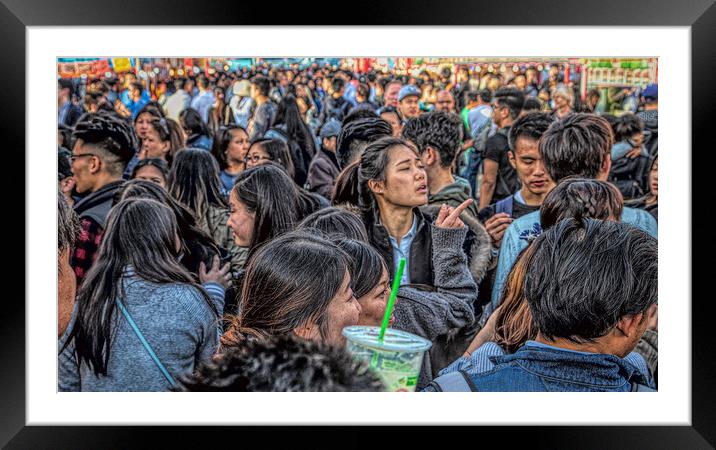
column 578, row 145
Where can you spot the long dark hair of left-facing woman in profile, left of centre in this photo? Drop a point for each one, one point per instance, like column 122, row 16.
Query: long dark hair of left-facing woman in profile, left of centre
column 272, row 195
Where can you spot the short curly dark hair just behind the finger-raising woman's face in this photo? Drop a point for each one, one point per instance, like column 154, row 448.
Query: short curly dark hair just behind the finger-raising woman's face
column 437, row 129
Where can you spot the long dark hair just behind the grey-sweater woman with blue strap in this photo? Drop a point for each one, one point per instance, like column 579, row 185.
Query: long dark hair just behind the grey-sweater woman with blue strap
column 197, row 245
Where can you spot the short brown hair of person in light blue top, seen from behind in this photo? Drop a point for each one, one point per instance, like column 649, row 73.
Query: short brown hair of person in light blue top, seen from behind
column 576, row 145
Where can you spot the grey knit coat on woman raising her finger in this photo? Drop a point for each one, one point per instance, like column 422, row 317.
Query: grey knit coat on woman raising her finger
column 434, row 314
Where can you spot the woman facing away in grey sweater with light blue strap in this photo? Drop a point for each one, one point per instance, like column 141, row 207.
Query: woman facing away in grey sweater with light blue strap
column 140, row 321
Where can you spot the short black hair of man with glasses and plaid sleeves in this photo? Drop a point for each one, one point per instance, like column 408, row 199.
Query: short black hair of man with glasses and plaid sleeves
column 113, row 137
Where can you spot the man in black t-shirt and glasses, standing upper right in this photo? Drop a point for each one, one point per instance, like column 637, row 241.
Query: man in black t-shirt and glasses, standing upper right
column 499, row 179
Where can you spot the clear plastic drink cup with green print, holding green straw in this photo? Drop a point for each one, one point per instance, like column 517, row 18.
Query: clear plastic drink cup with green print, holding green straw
column 396, row 360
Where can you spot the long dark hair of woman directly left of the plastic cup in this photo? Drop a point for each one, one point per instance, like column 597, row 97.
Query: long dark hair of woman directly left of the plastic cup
column 289, row 281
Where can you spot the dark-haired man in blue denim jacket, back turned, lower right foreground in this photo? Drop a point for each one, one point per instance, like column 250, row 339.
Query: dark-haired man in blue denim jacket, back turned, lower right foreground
column 569, row 284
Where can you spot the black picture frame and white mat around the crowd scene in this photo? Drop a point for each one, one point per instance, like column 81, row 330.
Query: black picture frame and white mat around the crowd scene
column 679, row 35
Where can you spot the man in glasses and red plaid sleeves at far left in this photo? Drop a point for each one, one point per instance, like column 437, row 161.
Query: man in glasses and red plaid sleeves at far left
column 103, row 147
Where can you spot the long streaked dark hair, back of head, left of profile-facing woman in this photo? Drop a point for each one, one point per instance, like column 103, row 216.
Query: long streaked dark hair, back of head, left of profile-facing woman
column 194, row 180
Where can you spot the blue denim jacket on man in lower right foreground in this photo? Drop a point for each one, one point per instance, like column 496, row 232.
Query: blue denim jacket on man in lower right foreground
column 538, row 367
